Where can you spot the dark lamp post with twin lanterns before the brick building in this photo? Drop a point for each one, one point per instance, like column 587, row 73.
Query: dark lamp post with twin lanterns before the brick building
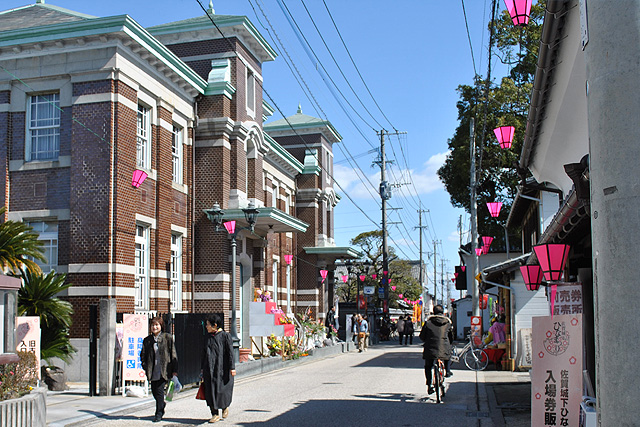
column 251, row 215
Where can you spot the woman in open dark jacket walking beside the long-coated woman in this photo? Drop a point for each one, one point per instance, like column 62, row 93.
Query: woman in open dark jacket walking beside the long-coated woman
column 159, row 362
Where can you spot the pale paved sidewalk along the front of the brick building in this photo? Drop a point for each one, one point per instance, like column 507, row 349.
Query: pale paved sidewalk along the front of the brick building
column 74, row 406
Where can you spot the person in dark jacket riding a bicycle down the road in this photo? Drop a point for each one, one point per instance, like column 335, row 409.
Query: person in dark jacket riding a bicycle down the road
column 437, row 334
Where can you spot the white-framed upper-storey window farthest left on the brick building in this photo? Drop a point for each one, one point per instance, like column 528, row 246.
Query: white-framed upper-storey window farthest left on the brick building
column 43, row 131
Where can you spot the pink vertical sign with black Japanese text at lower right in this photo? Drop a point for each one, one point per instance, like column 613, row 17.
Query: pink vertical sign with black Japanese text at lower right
column 556, row 380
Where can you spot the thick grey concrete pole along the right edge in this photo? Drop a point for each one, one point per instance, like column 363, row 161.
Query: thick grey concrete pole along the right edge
column 611, row 57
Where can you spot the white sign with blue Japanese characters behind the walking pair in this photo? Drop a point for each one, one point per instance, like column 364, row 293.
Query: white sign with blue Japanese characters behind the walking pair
column 134, row 331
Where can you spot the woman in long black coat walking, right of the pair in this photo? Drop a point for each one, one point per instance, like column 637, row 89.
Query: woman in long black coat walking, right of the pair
column 218, row 368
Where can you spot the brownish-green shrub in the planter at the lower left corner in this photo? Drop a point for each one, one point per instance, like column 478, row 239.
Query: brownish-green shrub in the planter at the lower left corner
column 18, row 379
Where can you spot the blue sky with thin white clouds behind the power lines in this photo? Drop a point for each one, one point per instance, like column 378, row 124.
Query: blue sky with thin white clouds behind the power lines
column 412, row 55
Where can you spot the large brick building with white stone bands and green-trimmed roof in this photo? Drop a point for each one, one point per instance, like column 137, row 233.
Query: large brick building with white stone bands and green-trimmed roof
column 86, row 101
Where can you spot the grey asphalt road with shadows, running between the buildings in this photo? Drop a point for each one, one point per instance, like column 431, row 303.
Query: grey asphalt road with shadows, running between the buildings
column 384, row 386
